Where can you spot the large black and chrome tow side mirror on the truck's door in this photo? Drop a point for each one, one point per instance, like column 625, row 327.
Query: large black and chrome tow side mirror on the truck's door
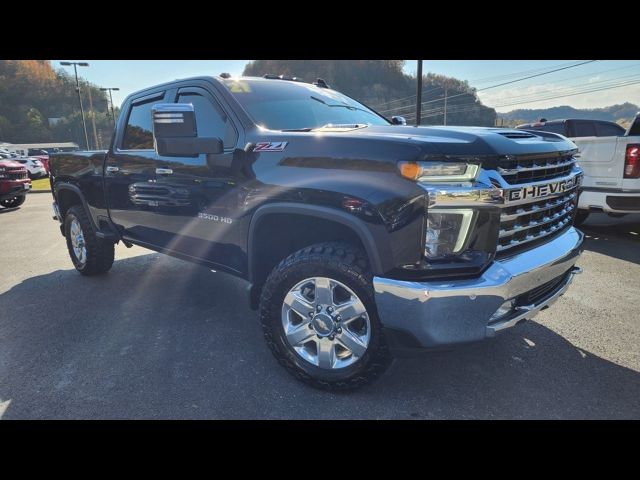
column 176, row 134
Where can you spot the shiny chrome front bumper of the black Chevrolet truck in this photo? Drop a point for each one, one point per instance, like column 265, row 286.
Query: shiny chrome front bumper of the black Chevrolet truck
column 444, row 313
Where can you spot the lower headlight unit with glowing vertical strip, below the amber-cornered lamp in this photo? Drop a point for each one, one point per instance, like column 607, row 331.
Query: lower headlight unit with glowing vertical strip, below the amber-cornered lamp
column 447, row 231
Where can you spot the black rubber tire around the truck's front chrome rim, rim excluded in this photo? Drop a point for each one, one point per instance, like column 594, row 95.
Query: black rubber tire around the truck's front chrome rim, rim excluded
column 348, row 265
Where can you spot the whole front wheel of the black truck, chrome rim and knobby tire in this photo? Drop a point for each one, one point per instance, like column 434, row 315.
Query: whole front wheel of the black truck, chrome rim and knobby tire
column 319, row 318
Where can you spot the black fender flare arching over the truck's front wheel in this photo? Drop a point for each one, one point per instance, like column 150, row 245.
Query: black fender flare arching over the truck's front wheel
column 358, row 226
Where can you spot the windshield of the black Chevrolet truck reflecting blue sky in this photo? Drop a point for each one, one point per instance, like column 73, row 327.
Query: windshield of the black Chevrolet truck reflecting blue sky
column 285, row 105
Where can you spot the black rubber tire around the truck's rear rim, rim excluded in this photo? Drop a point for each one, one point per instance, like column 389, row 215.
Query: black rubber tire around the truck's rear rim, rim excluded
column 100, row 253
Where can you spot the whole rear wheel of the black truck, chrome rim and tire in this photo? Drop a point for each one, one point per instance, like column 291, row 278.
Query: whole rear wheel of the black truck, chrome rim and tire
column 89, row 254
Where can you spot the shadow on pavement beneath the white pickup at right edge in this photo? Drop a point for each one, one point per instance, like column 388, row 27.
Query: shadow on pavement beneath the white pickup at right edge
column 600, row 231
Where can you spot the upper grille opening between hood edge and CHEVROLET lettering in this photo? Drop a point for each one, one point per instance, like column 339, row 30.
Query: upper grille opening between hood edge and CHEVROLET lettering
column 535, row 168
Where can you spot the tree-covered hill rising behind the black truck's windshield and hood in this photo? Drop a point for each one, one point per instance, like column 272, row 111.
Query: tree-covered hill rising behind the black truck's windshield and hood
column 382, row 85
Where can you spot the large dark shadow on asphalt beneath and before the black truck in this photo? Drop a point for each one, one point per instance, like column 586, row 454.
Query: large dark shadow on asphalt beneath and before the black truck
column 161, row 338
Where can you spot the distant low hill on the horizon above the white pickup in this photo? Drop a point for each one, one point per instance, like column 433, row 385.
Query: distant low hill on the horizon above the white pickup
column 614, row 113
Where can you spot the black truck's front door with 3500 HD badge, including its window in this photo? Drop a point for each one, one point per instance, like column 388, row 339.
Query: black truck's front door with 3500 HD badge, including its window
column 202, row 217
